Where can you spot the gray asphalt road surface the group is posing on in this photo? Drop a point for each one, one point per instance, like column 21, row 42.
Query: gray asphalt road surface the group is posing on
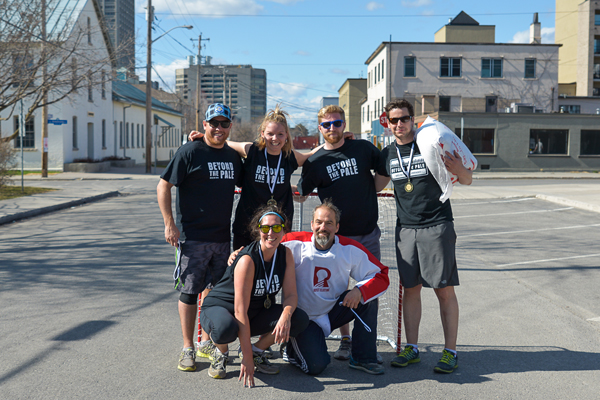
column 88, row 310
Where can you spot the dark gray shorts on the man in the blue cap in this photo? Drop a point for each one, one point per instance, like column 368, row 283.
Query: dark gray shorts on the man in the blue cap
column 202, row 265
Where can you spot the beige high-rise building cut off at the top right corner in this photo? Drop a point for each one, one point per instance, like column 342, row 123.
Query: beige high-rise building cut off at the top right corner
column 578, row 30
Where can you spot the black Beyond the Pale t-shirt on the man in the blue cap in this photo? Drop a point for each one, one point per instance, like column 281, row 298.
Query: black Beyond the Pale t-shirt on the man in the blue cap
column 205, row 178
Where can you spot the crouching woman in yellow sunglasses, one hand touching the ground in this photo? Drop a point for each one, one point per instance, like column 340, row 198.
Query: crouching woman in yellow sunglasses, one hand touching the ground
column 243, row 304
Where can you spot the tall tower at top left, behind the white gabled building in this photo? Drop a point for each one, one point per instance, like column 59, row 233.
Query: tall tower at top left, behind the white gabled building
column 119, row 16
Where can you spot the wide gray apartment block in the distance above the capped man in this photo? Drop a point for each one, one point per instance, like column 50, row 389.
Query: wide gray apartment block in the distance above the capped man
column 241, row 87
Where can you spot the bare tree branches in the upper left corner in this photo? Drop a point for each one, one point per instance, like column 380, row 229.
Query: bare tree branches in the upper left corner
column 71, row 61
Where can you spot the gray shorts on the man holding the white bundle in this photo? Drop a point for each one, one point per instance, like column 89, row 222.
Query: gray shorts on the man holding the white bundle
column 427, row 256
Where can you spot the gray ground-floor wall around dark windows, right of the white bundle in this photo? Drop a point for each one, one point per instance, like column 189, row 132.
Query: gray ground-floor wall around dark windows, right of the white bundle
column 512, row 140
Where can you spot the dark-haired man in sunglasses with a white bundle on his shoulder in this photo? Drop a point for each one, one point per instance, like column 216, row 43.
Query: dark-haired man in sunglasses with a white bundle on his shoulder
column 425, row 236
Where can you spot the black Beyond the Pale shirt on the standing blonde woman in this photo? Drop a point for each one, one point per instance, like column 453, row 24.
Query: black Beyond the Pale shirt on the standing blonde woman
column 255, row 190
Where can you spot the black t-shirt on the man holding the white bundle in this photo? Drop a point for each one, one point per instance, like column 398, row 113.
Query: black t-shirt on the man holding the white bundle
column 421, row 207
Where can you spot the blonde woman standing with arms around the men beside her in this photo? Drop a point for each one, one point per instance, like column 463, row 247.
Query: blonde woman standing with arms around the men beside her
column 268, row 166
